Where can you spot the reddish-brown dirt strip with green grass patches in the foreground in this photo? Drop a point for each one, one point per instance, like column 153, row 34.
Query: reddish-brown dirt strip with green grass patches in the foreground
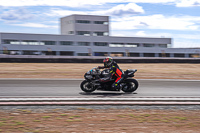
column 90, row 121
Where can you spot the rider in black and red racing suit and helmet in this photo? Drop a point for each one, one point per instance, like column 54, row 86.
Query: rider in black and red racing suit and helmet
column 114, row 72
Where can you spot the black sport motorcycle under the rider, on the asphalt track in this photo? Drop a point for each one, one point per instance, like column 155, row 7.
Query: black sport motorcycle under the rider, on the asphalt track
column 91, row 82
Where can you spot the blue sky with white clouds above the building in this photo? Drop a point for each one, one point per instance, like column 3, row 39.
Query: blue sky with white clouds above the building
column 178, row 19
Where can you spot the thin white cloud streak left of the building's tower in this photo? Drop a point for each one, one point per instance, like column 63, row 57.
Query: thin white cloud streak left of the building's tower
column 36, row 25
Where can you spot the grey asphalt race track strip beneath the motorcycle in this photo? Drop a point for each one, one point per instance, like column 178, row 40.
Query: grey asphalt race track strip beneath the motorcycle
column 71, row 88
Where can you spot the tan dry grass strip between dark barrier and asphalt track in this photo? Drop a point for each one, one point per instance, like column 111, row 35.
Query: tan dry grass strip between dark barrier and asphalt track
column 77, row 70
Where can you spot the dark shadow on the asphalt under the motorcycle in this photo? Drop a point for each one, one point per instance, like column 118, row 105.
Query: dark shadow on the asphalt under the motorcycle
column 106, row 94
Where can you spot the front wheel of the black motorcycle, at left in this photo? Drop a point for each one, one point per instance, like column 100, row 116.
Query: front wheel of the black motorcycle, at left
column 87, row 86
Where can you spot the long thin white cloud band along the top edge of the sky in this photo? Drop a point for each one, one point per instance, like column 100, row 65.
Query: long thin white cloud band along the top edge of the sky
column 74, row 3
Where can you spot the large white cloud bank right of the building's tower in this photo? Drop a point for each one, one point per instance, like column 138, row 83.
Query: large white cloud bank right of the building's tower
column 156, row 22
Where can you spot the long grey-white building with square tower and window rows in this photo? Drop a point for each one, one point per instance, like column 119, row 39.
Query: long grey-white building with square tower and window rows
column 88, row 35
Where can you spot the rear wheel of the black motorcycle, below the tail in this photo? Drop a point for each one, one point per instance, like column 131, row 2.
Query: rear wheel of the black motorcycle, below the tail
column 131, row 85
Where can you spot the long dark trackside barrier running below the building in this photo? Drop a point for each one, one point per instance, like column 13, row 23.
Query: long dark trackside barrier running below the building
column 90, row 59
